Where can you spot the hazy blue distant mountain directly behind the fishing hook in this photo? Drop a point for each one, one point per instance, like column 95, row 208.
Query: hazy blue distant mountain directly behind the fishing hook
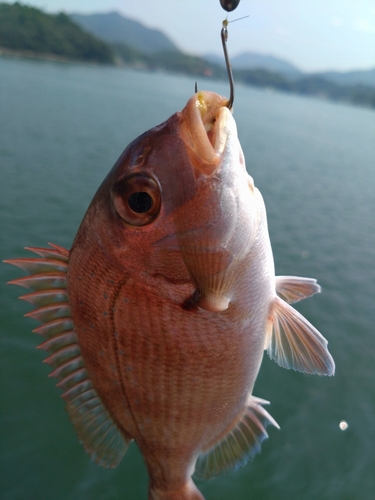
column 252, row 60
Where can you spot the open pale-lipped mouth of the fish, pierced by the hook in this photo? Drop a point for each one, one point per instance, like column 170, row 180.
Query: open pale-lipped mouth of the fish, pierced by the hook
column 204, row 127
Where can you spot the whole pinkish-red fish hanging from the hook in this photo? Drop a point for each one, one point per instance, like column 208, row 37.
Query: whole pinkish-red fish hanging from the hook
column 157, row 319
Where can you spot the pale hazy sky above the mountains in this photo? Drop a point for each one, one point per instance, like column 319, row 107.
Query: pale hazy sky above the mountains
column 312, row 34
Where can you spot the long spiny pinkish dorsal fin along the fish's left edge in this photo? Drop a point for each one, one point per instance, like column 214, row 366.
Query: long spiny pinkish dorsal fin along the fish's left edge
column 96, row 429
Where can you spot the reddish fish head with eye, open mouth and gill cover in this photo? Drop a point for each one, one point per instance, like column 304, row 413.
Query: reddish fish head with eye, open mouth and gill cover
column 179, row 204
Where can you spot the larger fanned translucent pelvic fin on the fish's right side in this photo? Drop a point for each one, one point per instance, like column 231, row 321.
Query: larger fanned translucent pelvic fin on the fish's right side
column 293, row 342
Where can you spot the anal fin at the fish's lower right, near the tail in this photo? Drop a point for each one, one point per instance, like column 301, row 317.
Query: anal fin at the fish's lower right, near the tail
column 240, row 445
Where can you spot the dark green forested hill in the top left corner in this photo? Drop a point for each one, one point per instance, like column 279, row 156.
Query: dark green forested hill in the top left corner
column 26, row 29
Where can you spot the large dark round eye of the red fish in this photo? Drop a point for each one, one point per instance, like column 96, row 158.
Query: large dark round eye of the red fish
column 137, row 199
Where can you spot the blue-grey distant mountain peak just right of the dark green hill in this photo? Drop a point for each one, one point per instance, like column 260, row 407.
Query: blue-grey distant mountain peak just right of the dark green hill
column 114, row 28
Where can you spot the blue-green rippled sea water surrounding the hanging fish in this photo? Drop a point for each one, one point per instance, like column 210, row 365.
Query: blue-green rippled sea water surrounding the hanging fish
column 62, row 127
